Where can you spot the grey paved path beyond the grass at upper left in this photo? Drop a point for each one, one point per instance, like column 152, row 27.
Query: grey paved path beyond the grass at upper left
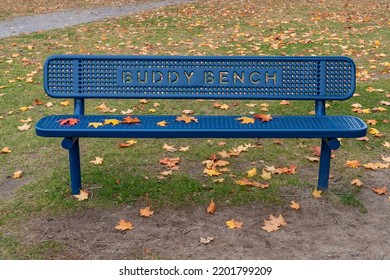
column 63, row 19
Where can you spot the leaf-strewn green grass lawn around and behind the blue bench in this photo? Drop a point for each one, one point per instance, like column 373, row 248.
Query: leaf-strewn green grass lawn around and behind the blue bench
column 127, row 175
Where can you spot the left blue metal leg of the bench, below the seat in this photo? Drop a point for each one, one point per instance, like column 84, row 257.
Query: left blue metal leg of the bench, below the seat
column 72, row 144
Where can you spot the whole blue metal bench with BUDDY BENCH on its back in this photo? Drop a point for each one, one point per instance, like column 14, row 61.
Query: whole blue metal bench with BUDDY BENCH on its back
column 179, row 77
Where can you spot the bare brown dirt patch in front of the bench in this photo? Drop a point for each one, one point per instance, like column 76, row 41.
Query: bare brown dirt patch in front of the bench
column 322, row 229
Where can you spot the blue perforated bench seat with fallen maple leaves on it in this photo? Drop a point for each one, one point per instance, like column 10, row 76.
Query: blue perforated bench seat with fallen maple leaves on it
column 206, row 127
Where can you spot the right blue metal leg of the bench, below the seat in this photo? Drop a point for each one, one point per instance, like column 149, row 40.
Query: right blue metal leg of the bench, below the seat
column 327, row 145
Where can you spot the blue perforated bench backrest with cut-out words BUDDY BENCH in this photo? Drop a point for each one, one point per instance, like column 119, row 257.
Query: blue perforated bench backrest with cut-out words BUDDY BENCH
column 219, row 77
